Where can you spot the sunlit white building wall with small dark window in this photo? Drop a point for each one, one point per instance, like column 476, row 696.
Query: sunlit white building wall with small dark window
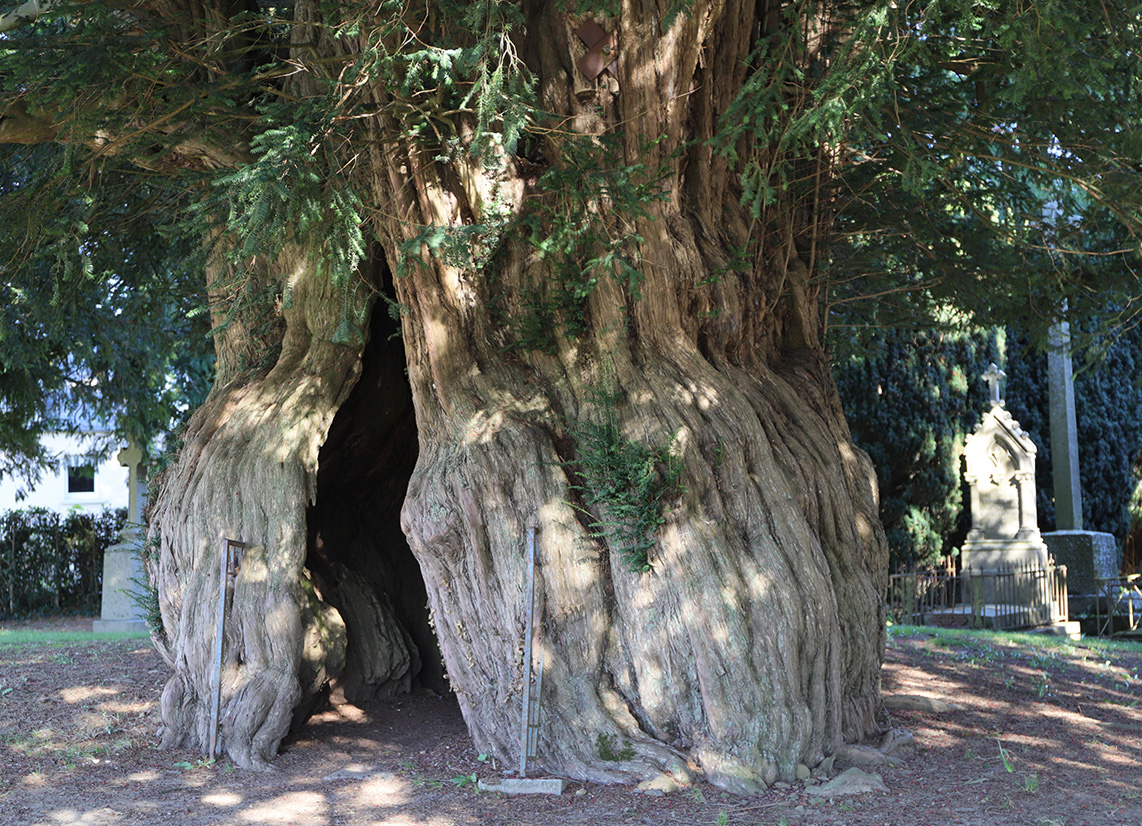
column 111, row 482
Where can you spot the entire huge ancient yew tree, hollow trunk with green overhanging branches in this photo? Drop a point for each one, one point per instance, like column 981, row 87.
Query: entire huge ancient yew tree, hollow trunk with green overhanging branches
column 480, row 268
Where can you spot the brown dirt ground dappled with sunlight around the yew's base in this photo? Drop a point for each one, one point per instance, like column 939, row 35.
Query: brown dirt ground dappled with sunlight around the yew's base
column 78, row 731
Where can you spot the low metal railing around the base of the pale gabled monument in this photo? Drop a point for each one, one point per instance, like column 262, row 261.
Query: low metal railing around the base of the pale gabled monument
column 1004, row 598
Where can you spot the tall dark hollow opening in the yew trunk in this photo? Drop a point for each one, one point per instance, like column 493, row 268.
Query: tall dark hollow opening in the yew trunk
column 358, row 556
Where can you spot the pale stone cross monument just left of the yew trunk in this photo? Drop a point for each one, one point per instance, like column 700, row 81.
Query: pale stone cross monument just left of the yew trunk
column 122, row 565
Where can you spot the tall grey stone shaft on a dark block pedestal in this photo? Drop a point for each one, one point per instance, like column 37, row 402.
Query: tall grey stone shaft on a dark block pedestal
column 1088, row 555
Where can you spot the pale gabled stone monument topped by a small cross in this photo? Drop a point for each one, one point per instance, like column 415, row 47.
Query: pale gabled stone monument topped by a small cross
column 1000, row 460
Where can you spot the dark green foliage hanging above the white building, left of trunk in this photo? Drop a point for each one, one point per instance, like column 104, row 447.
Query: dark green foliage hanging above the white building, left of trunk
column 102, row 314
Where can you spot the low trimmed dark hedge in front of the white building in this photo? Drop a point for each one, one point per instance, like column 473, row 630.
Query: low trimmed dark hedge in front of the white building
column 52, row 564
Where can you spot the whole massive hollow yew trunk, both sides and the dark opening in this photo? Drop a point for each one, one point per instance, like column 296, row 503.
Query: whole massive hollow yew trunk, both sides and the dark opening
column 753, row 643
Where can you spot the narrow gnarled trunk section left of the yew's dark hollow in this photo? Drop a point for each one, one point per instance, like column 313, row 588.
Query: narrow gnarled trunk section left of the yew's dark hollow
column 247, row 472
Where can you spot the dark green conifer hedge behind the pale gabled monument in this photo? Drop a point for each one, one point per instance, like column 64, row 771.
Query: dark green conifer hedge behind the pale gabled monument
column 913, row 397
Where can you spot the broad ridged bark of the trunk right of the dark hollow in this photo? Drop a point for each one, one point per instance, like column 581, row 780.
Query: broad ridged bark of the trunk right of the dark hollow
column 755, row 644
